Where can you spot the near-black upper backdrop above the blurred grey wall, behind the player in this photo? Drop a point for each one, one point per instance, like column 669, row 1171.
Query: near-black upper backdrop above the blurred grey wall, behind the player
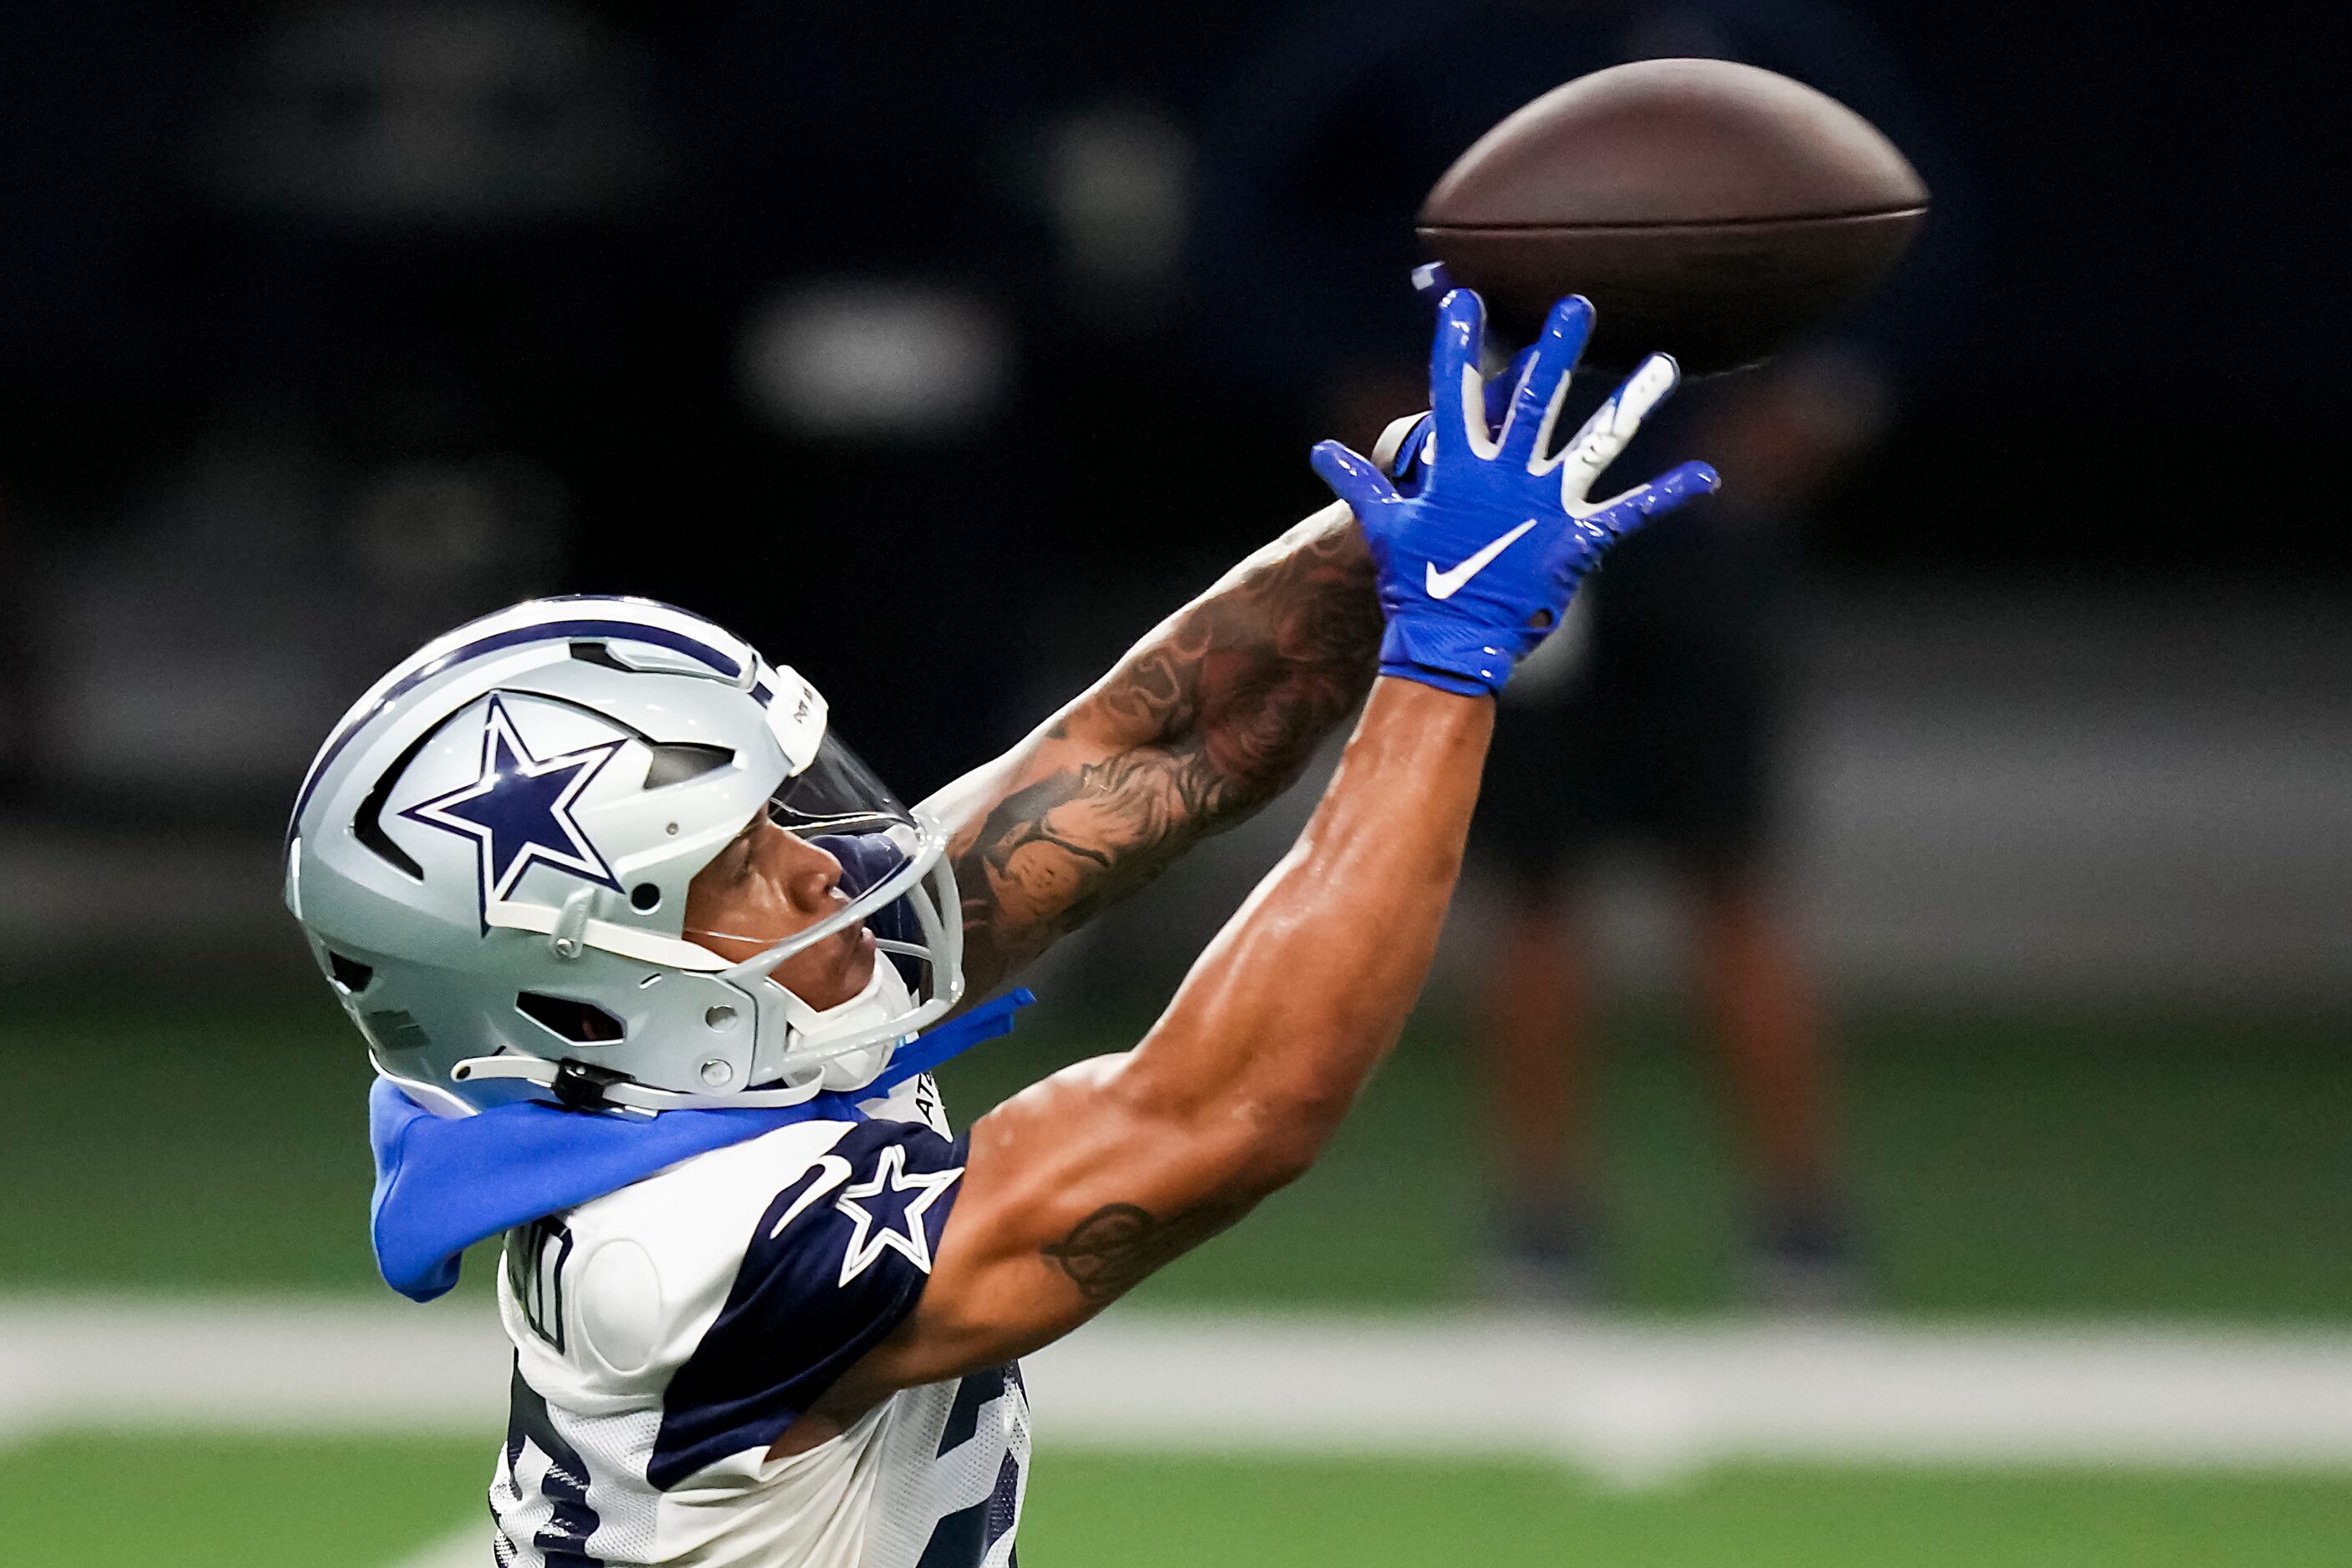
column 930, row 337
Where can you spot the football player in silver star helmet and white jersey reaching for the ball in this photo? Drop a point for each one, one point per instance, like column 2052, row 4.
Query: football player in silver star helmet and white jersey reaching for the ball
column 648, row 967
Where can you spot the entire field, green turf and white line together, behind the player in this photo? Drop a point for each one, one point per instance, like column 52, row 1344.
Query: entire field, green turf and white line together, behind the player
column 2165, row 1191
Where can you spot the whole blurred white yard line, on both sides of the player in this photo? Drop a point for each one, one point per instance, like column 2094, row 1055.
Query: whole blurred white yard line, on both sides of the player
column 1626, row 1400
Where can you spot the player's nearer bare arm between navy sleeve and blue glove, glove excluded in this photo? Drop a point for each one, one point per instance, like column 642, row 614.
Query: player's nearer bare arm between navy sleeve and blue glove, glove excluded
column 1085, row 1184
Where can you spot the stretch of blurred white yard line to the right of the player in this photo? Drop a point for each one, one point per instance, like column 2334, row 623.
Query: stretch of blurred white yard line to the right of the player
column 1638, row 1402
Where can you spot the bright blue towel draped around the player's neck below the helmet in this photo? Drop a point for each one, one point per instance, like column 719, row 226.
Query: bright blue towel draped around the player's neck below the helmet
column 448, row 1184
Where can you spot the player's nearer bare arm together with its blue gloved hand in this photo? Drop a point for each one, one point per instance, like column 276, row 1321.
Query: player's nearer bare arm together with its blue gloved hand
column 1085, row 1184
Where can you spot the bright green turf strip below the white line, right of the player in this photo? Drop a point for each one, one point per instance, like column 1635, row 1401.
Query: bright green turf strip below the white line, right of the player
column 1351, row 1515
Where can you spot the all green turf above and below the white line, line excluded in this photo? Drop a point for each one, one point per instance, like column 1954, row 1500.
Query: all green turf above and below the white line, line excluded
column 2005, row 1165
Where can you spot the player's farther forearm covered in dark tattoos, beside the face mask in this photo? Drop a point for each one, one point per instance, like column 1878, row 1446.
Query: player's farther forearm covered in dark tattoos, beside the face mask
column 1205, row 721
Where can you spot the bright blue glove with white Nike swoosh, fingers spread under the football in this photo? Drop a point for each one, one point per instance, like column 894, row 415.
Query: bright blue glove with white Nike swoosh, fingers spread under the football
column 1483, row 561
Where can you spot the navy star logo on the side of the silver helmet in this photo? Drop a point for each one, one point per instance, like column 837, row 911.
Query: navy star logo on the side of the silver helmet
column 521, row 810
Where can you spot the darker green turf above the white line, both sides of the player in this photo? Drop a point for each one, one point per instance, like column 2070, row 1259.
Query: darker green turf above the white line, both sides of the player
column 2003, row 1165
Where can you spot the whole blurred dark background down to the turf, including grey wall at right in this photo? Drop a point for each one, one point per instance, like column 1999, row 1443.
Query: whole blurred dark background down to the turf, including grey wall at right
column 942, row 349
